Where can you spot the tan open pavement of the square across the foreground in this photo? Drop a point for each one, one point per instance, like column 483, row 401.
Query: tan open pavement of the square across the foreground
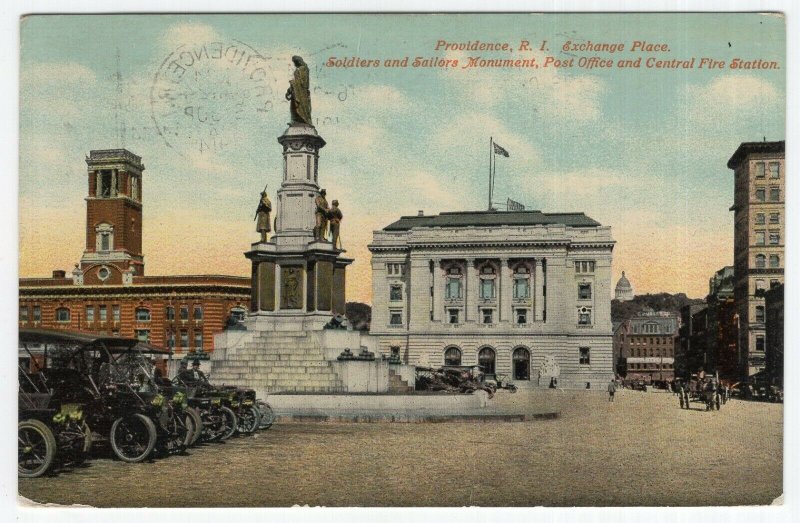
column 640, row 450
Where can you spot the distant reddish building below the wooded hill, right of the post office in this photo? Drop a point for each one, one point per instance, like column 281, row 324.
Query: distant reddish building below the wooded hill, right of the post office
column 647, row 345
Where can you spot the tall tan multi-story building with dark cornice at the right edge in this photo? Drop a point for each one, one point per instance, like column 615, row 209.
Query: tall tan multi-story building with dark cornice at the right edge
column 759, row 233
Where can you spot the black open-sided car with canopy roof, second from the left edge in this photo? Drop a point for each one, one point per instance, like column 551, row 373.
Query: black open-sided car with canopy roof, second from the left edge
column 113, row 379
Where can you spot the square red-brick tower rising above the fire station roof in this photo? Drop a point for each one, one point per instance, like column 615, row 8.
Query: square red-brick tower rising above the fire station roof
column 113, row 253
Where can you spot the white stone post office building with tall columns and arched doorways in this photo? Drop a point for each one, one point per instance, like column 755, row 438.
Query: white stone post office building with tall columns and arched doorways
column 525, row 294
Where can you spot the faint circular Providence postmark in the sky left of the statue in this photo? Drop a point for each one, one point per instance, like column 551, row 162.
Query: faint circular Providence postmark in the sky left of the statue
column 207, row 96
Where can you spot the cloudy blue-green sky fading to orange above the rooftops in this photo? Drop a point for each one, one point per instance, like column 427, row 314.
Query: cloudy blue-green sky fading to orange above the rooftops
column 641, row 150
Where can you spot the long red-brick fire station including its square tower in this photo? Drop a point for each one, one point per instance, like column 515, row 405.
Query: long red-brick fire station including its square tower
column 108, row 292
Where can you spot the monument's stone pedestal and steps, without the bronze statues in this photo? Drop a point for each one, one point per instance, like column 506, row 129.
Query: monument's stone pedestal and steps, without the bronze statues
column 297, row 287
